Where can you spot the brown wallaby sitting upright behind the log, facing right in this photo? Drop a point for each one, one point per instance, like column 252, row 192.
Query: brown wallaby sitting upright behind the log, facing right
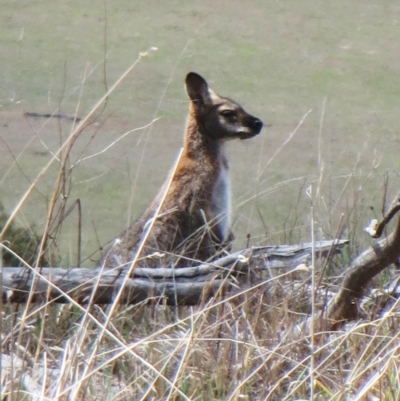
column 193, row 222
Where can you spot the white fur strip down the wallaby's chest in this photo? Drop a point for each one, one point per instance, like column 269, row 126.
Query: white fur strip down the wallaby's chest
column 221, row 201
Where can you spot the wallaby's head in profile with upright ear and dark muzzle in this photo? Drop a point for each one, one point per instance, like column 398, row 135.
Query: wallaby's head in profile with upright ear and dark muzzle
column 219, row 118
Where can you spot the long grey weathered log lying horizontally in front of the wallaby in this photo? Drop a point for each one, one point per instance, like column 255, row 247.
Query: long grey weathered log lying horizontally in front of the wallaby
column 183, row 286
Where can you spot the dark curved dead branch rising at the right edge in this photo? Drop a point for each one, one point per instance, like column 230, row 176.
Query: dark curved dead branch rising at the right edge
column 345, row 306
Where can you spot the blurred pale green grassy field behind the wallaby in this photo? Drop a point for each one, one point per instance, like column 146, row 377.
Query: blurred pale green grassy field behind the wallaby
column 279, row 59
